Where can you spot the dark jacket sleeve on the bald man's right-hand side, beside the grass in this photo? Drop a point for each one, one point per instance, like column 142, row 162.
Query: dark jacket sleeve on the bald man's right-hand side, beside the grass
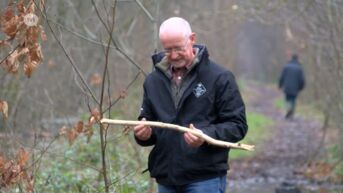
column 231, row 122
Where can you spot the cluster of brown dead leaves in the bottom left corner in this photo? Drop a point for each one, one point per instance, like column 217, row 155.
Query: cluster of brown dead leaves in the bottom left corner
column 15, row 171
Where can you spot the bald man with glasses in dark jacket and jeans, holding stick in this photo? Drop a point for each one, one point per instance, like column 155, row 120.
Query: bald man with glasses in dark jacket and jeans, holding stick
column 187, row 88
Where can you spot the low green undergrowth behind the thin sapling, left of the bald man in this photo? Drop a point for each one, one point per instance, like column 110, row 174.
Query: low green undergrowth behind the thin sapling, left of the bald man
column 76, row 168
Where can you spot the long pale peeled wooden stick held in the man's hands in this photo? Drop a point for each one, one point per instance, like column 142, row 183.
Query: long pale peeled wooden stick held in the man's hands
column 207, row 138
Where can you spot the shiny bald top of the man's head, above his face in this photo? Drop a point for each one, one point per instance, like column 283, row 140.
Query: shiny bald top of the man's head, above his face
column 175, row 25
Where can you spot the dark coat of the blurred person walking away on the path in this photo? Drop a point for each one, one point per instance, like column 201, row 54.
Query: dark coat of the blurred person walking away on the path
column 292, row 79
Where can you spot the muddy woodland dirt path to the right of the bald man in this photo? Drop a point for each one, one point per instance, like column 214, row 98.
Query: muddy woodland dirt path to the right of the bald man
column 280, row 157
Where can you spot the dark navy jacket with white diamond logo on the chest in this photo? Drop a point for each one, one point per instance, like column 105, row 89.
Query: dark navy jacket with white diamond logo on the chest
column 212, row 103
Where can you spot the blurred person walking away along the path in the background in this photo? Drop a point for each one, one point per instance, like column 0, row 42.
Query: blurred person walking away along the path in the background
column 292, row 81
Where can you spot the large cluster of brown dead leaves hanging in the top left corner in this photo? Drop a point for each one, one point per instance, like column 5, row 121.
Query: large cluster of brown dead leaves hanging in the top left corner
column 20, row 25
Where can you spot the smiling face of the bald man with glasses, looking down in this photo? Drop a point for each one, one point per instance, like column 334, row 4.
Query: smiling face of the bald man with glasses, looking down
column 178, row 49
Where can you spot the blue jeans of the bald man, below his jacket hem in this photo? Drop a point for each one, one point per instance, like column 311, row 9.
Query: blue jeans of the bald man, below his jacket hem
column 214, row 185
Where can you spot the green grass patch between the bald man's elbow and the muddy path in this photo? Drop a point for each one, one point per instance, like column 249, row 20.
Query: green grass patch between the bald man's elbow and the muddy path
column 258, row 132
